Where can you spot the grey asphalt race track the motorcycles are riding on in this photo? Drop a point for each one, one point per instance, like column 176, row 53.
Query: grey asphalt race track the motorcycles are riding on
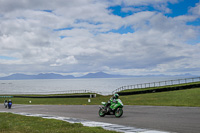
column 171, row 119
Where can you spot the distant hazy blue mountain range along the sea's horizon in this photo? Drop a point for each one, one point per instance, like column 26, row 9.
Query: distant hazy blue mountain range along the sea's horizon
column 19, row 76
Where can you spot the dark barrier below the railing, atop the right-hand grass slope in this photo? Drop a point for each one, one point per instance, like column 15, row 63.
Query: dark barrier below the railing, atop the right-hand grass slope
column 160, row 90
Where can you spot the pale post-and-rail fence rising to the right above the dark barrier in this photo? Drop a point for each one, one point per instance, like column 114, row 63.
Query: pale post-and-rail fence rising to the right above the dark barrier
column 157, row 84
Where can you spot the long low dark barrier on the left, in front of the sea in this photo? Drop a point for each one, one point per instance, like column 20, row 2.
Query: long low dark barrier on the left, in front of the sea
column 64, row 96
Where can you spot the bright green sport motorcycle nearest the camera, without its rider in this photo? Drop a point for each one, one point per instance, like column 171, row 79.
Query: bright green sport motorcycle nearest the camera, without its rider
column 116, row 108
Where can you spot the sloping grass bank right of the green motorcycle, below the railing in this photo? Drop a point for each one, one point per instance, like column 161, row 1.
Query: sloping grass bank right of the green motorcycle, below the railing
column 189, row 97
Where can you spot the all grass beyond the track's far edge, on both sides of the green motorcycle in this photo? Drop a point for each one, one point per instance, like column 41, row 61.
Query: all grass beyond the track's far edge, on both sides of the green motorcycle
column 188, row 97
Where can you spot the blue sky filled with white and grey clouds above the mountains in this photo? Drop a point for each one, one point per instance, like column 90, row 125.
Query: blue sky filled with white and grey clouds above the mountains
column 128, row 37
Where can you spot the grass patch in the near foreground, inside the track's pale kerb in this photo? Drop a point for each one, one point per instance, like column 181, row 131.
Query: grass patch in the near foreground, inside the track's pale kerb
column 12, row 123
